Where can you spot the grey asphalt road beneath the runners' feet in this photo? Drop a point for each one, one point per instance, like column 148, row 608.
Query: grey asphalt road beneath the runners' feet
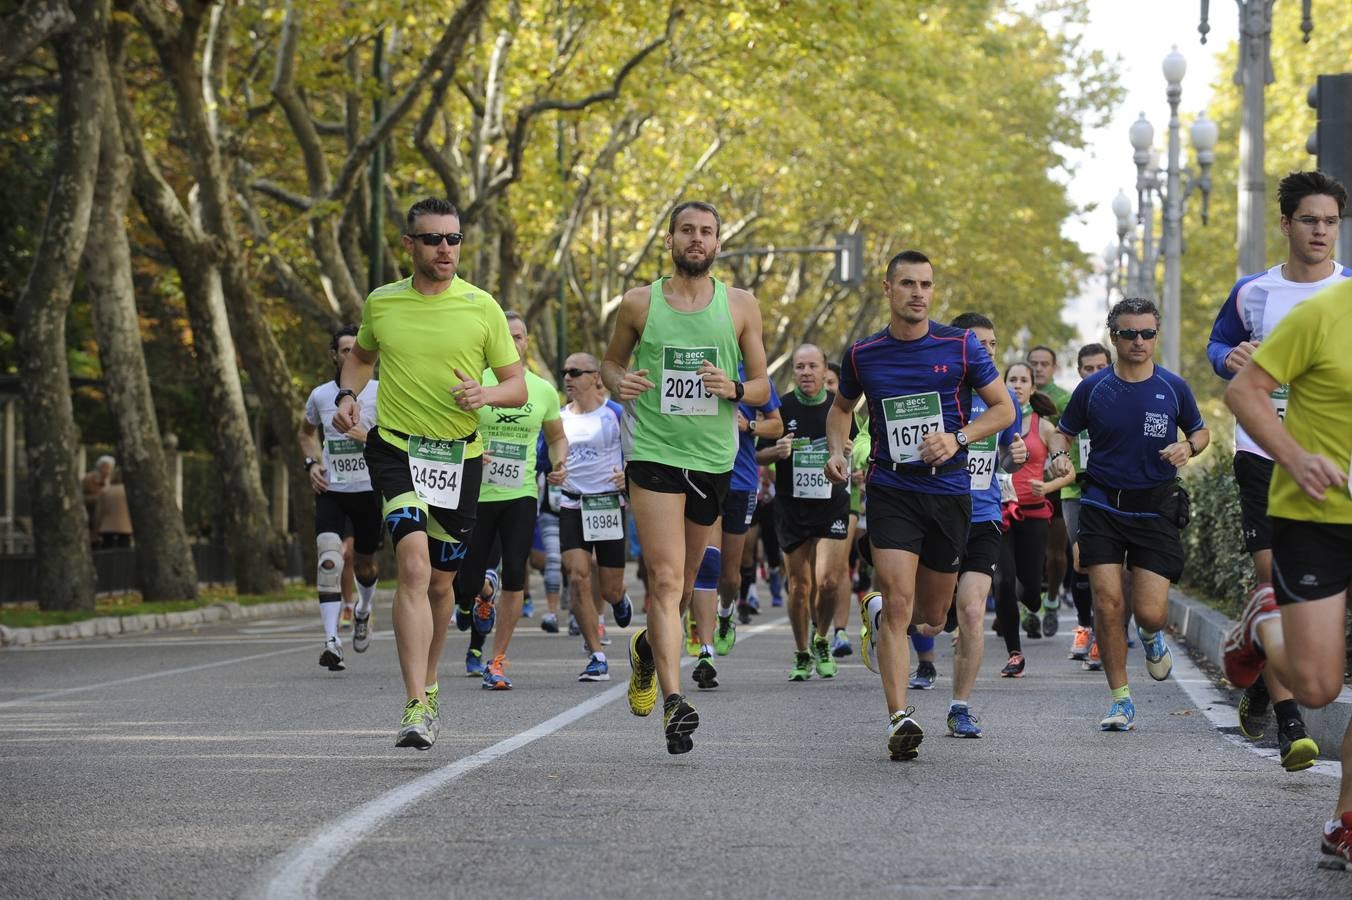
column 225, row 763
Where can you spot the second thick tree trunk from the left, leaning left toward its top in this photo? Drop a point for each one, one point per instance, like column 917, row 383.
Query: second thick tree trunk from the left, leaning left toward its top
column 166, row 570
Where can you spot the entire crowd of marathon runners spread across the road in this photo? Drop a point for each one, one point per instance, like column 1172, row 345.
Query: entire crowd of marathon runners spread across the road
column 913, row 480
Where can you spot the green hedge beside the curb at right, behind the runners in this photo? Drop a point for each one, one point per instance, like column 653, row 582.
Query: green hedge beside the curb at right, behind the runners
column 1219, row 570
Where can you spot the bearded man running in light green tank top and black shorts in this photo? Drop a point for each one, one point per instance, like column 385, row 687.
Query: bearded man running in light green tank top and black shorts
column 686, row 334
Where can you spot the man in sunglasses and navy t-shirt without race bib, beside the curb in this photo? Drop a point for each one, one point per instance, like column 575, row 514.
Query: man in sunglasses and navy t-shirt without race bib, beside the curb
column 1131, row 502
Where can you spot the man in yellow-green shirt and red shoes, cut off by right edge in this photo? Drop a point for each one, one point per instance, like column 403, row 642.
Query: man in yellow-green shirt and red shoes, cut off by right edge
column 1297, row 626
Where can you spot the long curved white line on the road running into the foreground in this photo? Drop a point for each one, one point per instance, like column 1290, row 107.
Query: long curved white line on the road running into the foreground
column 301, row 871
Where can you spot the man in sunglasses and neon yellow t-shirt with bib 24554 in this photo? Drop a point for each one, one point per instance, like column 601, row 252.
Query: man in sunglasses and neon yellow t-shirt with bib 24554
column 431, row 332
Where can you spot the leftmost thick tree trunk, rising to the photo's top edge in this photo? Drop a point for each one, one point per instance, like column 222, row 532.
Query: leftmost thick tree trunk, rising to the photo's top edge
column 60, row 528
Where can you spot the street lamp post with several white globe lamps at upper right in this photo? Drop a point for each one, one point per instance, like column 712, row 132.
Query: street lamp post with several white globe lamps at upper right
column 1178, row 186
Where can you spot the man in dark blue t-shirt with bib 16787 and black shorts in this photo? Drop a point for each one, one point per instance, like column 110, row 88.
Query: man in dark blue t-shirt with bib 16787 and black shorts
column 917, row 378
